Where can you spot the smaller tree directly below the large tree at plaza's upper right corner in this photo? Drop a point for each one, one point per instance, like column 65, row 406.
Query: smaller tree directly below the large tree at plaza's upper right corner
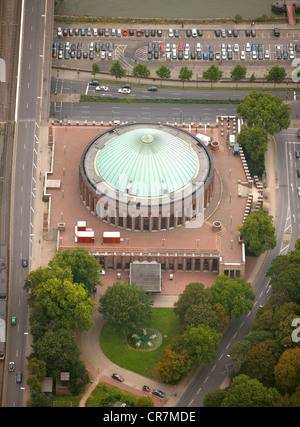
column 254, row 140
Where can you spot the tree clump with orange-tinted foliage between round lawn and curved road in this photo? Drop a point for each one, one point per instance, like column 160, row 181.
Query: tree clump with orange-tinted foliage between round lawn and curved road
column 203, row 312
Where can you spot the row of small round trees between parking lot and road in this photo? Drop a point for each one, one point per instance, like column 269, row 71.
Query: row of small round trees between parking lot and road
column 213, row 74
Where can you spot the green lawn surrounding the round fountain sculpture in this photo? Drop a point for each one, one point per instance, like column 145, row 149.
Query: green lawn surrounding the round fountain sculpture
column 114, row 344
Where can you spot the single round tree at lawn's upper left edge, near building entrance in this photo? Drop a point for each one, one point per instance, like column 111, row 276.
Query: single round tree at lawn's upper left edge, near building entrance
column 126, row 306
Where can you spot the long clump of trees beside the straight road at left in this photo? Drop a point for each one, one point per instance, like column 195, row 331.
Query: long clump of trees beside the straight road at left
column 59, row 297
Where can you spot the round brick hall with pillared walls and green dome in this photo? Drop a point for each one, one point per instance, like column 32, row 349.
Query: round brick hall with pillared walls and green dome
column 146, row 177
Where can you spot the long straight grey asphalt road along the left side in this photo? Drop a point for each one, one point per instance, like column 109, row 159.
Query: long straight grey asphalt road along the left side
column 23, row 193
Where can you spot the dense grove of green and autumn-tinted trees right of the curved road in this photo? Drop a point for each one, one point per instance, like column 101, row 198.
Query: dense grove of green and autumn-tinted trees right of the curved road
column 265, row 365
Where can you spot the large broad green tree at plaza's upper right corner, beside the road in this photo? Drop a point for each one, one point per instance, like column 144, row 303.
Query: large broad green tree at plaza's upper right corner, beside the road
column 264, row 110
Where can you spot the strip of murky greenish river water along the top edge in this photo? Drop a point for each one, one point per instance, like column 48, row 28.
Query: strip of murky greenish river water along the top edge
column 166, row 8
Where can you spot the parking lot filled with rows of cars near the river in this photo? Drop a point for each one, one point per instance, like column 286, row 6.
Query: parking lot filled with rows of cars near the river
column 79, row 47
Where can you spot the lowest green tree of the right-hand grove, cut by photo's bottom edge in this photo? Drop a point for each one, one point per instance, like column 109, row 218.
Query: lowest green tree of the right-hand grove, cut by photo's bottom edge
column 247, row 392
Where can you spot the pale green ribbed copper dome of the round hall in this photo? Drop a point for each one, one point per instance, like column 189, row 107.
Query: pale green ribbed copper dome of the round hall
column 146, row 162
